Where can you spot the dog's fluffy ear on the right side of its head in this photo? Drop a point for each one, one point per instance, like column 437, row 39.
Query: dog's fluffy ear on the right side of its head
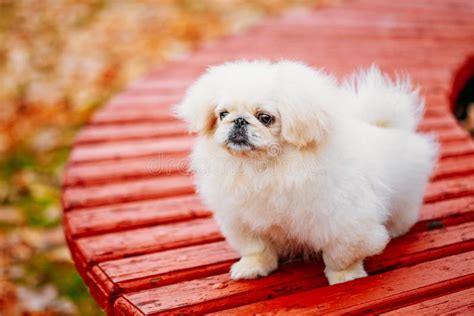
column 304, row 95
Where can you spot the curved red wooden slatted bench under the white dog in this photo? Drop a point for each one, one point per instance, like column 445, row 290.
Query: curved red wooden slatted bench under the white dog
column 143, row 242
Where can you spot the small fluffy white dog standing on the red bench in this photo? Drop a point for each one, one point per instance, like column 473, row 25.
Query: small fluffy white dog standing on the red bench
column 290, row 162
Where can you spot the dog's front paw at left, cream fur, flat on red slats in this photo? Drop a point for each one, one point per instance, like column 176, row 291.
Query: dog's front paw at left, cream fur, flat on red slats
column 251, row 267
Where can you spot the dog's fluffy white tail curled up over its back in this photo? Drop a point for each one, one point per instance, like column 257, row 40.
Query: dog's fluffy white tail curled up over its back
column 377, row 100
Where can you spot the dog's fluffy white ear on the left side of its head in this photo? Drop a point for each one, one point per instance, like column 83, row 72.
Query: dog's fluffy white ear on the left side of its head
column 197, row 107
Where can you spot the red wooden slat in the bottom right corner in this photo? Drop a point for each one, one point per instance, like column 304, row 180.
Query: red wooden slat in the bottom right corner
column 457, row 303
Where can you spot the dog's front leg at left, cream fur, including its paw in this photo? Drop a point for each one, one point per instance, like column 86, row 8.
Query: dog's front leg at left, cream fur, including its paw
column 258, row 257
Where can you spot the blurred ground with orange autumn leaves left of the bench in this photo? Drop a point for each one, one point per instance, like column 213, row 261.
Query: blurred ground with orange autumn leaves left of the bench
column 59, row 61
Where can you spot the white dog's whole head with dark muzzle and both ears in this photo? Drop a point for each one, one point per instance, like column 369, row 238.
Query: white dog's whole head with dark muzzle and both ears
column 253, row 108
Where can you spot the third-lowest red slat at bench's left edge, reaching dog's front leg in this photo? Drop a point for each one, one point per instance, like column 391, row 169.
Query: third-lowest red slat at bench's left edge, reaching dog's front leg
column 148, row 239
